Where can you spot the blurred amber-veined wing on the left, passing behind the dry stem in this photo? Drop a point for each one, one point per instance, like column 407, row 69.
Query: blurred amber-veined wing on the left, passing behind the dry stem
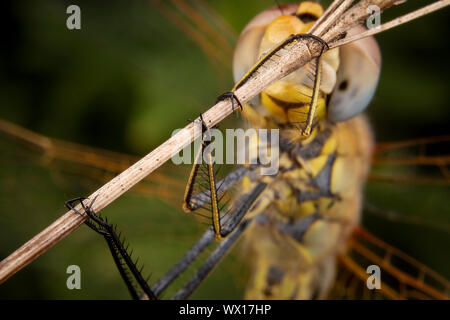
column 98, row 164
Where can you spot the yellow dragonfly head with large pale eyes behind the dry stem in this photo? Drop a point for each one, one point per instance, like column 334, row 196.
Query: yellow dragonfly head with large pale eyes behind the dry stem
column 288, row 101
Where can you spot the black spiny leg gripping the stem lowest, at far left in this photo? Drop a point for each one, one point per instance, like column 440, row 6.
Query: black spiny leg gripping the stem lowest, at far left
column 117, row 248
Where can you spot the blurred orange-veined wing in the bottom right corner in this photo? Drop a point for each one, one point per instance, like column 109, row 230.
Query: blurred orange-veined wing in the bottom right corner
column 402, row 277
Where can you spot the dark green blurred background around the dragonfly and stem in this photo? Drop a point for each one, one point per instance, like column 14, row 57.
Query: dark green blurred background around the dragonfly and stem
column 126, row 80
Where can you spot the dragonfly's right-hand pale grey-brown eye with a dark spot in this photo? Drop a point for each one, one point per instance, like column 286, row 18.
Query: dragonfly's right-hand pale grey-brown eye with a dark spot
column 357, row 78
